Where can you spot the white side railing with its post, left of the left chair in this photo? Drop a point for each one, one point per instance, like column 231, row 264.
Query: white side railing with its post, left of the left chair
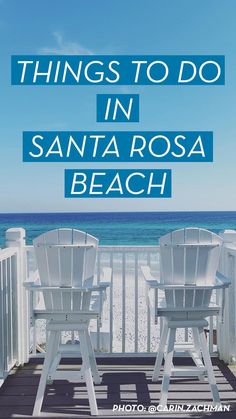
column 13, row 305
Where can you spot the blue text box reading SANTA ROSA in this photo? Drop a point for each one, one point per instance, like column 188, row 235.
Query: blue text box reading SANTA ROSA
column 118, row 146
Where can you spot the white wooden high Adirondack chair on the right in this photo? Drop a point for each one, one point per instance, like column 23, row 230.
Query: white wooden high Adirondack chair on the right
column 188, row 275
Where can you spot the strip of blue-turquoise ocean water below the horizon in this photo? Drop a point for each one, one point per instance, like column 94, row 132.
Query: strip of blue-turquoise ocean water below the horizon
column 118, row 228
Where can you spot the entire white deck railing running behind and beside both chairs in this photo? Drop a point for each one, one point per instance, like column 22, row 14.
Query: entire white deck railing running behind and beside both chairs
column 127, row 327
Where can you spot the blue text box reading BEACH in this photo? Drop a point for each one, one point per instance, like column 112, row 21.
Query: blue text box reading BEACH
column 120, row 183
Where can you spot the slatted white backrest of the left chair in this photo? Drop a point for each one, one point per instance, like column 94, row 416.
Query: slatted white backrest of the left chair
column 66, row 258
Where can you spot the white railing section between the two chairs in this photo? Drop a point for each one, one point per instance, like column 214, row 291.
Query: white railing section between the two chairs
column 130, row 328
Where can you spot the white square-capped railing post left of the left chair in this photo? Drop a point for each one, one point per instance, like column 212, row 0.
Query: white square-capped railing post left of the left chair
column 15, row 237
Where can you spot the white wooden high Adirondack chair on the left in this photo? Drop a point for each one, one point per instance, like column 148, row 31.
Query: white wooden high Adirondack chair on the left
column 66, row 265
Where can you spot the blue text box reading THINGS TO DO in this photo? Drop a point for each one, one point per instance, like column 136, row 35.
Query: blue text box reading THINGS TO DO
column 118, row 70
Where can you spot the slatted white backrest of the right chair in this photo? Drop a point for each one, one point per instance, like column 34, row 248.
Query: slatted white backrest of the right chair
column 189, row 257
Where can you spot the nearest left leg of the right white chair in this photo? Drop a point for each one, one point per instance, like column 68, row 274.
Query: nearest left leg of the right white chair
column 167, row 367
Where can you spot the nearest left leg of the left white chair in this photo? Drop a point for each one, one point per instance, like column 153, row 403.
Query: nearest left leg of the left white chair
column 45, row 370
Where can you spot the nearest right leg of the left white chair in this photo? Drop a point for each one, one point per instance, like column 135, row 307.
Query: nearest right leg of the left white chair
column 88, row 374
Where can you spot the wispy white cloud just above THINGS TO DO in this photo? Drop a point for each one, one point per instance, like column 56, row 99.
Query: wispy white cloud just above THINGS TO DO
column 64, row 47
